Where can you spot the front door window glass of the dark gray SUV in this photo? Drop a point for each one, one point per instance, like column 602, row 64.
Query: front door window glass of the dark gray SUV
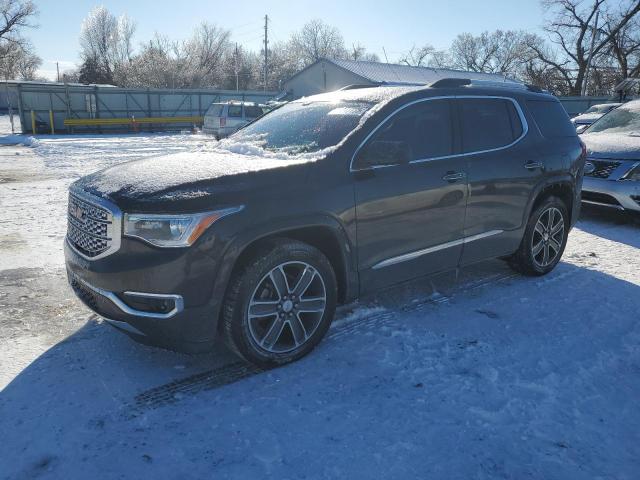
column 423, row 129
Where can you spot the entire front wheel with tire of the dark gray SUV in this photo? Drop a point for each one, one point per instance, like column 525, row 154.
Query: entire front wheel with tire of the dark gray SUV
column 280, row 305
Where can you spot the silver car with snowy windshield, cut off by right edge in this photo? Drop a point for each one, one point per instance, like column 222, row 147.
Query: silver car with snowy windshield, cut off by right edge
column 612, row 169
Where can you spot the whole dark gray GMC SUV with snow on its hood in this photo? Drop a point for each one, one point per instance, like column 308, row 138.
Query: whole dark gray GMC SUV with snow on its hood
column 258, row 237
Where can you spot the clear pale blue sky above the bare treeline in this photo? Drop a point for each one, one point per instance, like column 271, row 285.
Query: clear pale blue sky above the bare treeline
column 394, row 25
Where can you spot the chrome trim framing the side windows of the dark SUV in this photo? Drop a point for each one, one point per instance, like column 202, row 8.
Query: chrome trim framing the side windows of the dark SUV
column 523, row 120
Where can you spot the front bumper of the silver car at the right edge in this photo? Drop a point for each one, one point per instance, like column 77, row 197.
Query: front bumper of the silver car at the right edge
column 616, row 194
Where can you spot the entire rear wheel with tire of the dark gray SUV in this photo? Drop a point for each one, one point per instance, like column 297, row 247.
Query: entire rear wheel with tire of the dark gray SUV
column 544, row 239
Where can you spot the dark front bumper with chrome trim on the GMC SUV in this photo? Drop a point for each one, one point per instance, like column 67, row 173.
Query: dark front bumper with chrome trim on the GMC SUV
column 109, row 287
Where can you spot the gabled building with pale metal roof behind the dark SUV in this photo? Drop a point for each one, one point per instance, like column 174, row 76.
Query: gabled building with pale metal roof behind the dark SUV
column 327, row 75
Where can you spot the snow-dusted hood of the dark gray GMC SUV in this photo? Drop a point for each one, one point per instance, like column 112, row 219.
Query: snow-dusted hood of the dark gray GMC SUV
column 192, row 177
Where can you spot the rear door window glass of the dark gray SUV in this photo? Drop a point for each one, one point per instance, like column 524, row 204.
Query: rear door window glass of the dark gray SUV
column 488, row 123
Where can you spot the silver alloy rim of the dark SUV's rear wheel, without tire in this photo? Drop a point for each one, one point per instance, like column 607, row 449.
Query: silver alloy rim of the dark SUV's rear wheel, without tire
column 548, row 237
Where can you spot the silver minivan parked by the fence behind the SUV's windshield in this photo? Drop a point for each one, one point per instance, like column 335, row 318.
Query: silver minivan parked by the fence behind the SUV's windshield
column 223, row 119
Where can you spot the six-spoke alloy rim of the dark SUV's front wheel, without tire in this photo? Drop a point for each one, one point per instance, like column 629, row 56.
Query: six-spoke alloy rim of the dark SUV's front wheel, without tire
column 286, row 307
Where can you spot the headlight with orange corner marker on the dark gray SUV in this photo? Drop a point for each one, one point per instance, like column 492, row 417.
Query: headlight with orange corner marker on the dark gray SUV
column 180, row 230
